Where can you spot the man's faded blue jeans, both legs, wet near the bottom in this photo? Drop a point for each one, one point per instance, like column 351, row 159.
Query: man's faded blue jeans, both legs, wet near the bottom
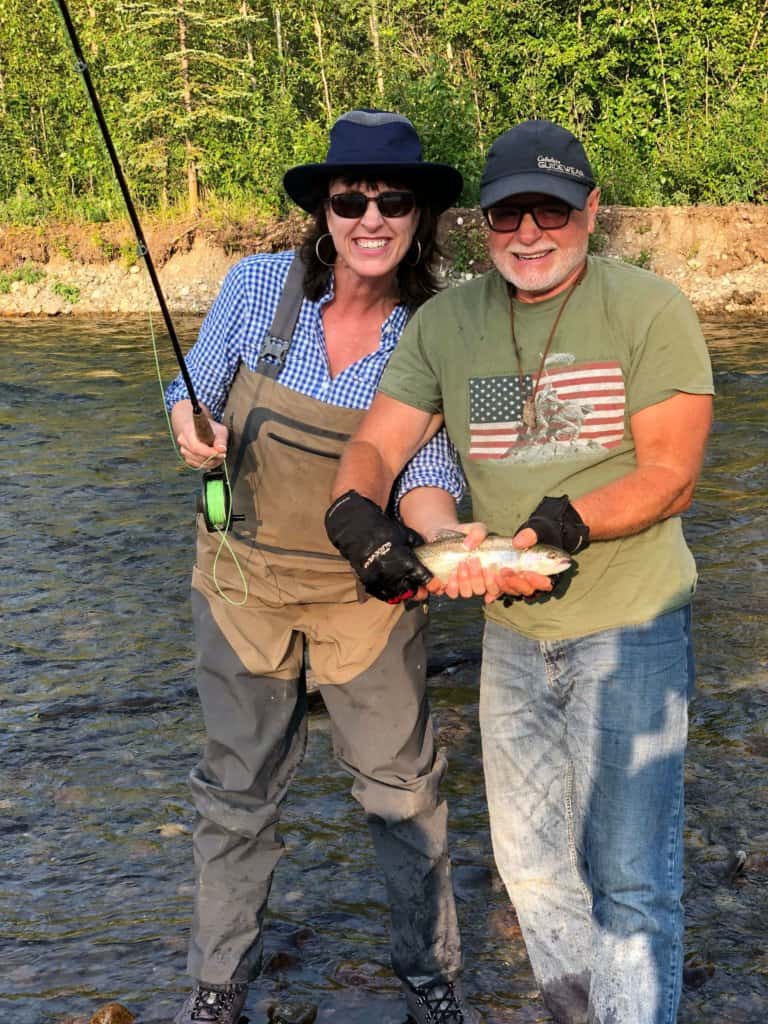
column 583, row 745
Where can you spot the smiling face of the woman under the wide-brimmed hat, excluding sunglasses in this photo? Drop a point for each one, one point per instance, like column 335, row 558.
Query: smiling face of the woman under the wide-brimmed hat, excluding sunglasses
column 370, row 246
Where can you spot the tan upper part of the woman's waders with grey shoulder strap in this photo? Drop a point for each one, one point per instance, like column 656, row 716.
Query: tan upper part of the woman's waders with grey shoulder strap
column 284, row 454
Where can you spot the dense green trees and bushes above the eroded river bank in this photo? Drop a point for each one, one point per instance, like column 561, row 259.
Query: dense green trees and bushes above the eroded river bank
column 209, row 101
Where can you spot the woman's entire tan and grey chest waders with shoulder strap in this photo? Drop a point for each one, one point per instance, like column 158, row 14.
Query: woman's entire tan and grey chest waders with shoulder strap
column 284, row 453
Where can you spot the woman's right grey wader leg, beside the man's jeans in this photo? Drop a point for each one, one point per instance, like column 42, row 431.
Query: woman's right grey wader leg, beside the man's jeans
column 383, row 737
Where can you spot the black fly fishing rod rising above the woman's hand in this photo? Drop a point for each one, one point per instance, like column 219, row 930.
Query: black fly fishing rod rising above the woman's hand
column 202, row 424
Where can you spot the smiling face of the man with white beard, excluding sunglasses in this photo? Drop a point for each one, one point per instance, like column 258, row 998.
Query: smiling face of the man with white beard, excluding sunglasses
column 543, row 264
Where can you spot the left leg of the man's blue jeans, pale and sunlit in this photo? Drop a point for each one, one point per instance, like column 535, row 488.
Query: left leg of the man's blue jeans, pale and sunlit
column 530, row 781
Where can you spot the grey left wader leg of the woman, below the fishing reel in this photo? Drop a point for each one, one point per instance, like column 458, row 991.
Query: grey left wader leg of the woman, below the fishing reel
column 257, row 738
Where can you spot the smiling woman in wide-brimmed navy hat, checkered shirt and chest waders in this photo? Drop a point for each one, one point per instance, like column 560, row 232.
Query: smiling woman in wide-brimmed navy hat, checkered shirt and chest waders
column 286, row 364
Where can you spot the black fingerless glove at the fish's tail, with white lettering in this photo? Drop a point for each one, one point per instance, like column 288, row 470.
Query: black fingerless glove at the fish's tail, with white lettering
column 379, row 549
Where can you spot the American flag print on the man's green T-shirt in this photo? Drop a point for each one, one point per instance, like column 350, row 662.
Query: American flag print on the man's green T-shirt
column 580, row 409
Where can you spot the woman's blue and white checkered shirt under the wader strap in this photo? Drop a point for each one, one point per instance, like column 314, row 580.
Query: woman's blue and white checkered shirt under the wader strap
column 235, row 328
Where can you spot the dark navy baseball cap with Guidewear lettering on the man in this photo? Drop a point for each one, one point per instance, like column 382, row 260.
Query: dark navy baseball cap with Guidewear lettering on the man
column 537, row 157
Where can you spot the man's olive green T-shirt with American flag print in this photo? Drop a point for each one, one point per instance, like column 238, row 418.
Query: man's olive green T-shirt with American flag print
column 627, row 339
